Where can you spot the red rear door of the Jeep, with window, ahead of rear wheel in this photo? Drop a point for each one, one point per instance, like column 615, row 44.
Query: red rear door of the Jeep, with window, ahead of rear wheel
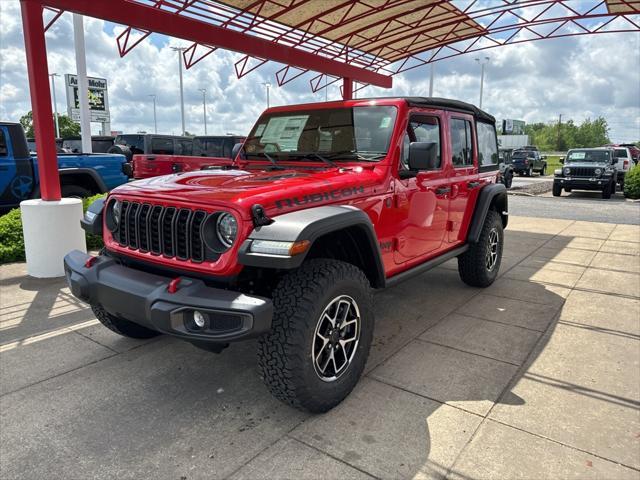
column 464, row 176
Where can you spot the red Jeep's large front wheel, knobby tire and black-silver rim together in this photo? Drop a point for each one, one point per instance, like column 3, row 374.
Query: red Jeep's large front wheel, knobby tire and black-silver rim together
column 320, row 335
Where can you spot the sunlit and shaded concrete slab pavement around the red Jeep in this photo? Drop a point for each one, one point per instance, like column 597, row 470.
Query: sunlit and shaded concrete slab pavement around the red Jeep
column 537, row 376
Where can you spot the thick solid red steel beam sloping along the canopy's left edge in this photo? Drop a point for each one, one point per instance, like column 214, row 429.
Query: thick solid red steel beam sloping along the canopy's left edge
column 148, row 18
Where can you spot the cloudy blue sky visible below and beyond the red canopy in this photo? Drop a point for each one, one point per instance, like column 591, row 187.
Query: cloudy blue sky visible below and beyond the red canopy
column 580, row 77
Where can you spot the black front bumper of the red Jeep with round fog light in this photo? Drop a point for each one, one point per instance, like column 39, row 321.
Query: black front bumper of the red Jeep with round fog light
column 144, row 298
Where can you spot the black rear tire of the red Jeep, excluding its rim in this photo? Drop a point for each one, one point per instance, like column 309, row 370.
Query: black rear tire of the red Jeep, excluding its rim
column 472, row 264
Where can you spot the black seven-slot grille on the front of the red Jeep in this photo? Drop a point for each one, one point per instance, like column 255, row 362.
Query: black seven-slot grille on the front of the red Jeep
column 169, row 231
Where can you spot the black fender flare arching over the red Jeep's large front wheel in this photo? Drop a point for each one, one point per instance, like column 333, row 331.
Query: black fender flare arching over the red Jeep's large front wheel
column 311, row 224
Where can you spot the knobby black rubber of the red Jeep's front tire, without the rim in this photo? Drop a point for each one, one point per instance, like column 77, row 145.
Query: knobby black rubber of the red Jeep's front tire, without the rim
column 285, row 353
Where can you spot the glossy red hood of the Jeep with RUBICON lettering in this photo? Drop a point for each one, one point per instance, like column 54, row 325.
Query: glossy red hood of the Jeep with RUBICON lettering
column 280, row 190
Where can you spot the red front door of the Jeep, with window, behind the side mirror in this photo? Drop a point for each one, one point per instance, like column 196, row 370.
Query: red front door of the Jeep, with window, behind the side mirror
column 421, row 202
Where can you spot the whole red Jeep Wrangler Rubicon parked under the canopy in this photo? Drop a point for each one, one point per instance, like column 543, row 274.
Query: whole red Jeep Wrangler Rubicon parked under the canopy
column 324, row 204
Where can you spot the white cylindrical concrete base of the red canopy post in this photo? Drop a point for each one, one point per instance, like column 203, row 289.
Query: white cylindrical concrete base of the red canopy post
column 51, row 230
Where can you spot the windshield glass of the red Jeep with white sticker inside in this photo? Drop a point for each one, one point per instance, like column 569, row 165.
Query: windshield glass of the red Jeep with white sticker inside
column 361, row 133
